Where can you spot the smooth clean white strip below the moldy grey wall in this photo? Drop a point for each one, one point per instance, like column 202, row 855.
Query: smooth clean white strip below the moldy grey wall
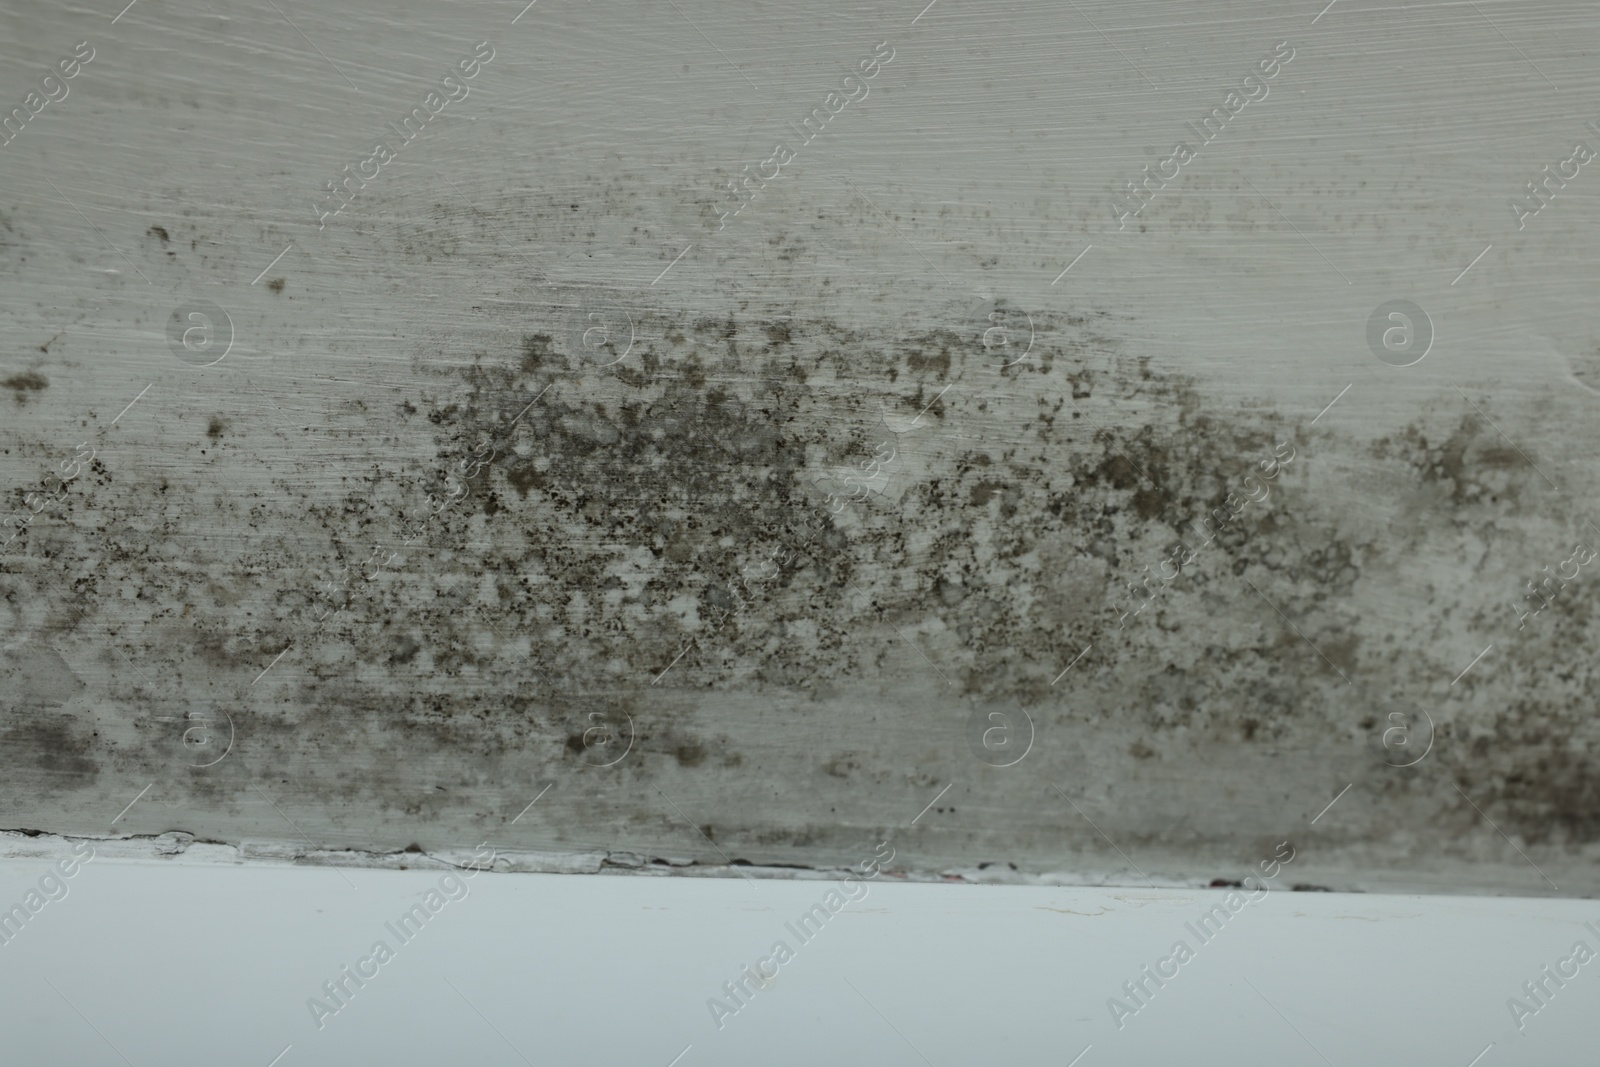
column 182, row 962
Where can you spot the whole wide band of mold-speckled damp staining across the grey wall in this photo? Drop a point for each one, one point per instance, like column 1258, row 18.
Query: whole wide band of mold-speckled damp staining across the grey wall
column 647, row 554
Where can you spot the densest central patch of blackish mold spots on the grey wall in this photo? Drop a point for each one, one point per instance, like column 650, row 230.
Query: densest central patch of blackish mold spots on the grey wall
column 660, row 519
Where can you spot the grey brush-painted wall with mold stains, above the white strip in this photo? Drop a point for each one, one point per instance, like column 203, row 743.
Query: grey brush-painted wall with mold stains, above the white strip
column 1081, row 444
